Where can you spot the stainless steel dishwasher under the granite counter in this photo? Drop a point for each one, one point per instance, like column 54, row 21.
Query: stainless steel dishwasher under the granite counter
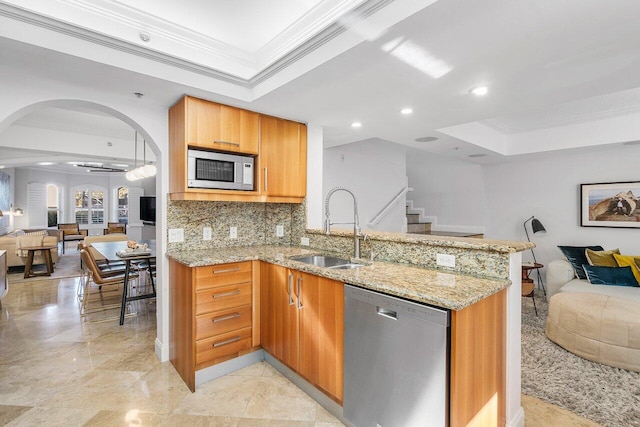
column 396, row 361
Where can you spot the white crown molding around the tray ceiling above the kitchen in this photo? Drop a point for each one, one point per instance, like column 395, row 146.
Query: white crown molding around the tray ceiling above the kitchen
column 280, row 54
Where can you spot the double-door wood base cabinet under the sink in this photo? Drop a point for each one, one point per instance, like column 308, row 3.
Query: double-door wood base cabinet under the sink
column 302, row 325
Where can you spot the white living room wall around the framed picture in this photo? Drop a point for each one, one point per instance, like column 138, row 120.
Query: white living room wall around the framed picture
column 548, row 187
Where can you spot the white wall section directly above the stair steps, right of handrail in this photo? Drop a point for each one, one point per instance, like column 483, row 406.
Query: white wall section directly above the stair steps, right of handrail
column 448, row 189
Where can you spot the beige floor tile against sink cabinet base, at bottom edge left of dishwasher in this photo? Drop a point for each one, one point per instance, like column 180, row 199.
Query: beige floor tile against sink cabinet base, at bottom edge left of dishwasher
column 278, row 398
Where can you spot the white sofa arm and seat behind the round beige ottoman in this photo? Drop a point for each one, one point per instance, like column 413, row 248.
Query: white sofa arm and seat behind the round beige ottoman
column 561, row 277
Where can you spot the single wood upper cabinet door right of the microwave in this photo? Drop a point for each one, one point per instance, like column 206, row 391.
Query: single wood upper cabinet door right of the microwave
column 283, row 157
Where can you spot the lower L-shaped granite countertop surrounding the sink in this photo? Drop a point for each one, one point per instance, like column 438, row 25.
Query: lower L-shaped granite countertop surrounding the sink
column 434, row 287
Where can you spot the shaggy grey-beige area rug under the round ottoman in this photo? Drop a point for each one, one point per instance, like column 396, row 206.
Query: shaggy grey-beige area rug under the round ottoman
column 606, row 395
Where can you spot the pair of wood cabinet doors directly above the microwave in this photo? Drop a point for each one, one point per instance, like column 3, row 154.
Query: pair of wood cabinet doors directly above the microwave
column 221, row 127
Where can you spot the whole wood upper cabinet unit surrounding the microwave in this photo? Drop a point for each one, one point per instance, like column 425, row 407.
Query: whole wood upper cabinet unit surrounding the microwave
column 280, row 146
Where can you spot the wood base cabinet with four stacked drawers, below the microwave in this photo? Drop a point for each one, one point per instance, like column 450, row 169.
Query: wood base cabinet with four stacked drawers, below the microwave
column 211, row 315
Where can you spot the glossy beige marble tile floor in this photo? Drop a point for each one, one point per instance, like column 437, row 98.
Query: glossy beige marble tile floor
column 56, row 370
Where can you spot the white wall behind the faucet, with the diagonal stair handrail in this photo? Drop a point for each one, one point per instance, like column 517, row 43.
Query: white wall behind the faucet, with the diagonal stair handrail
column 375, row 171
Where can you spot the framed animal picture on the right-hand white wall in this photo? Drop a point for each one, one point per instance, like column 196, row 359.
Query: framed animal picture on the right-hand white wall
column 610, row 204
